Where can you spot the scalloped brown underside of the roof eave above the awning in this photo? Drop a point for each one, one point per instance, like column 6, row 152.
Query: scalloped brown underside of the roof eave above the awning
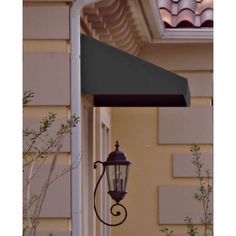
column 113, row 24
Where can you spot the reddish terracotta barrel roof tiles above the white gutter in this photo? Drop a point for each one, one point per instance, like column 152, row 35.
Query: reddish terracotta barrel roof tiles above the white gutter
column 186, row 13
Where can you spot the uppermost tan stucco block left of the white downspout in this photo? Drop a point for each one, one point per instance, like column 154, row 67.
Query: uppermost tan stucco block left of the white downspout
column 50, row 22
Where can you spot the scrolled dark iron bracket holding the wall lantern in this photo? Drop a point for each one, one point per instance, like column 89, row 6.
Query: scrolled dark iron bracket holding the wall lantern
column 117, row 204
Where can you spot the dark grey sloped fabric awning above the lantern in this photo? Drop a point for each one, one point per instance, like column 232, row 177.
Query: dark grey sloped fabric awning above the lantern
column 116, row 78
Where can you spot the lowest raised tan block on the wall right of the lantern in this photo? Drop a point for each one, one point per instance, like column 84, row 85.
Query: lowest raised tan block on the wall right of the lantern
column 177, row 202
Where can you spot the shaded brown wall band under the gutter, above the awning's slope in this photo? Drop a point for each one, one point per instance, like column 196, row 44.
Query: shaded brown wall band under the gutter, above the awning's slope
column 179, row 57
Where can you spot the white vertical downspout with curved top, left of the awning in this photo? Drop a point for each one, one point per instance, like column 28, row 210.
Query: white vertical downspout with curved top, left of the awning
column 76, row 178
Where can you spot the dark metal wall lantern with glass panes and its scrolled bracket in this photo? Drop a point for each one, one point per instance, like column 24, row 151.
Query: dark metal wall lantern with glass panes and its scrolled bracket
column 117, row 168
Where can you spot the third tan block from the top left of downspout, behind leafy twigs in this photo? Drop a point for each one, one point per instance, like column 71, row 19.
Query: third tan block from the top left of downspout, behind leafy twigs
column 34, row 124
